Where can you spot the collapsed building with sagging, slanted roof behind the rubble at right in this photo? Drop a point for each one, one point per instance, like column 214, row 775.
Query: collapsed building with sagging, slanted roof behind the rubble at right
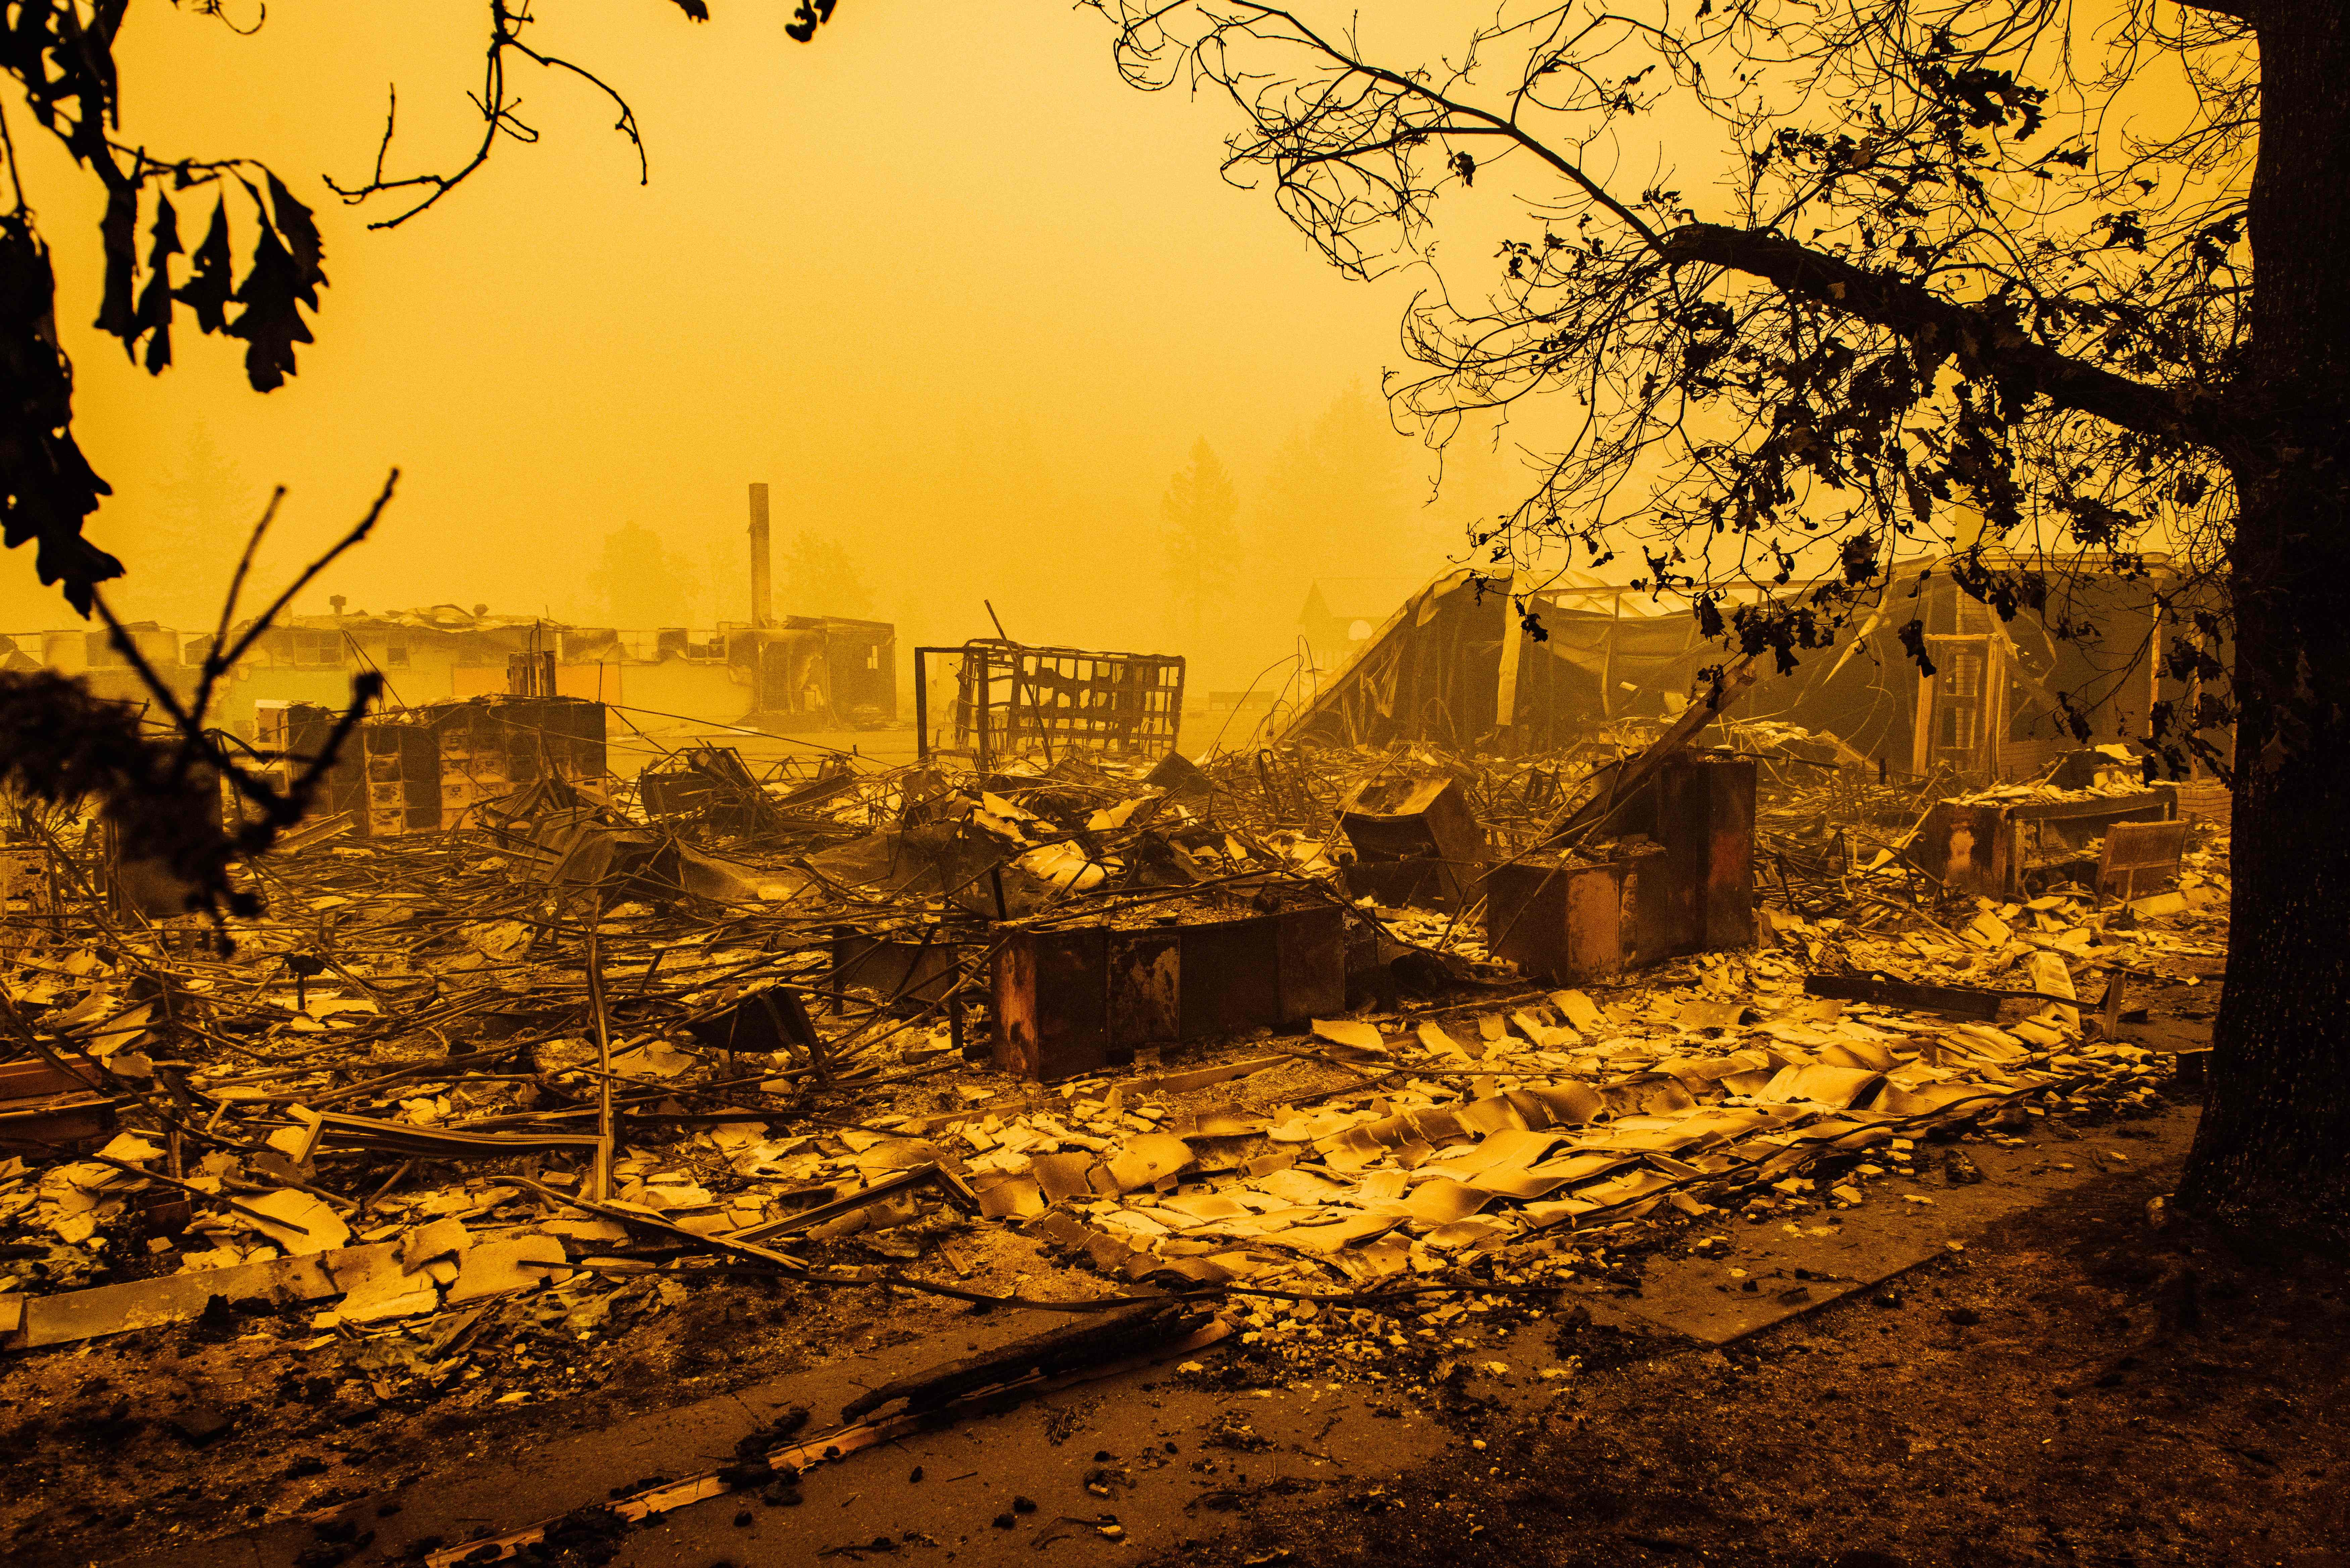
column 1456, row 669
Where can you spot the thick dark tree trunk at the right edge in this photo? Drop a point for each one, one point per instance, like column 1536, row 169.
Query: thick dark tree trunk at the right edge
column 2276, row 1137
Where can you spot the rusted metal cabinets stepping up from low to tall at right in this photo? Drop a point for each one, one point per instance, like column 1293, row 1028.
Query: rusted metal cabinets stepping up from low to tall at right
column 1681, row 880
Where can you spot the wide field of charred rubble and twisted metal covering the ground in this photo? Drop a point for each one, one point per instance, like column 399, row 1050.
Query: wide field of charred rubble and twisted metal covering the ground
column 1331, row 1043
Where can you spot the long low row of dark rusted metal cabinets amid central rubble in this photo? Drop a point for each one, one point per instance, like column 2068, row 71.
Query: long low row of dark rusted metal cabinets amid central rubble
column 1082, row 998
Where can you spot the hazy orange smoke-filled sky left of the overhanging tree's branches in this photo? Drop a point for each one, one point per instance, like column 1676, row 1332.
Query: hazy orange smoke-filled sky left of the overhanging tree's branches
column 941, row 279
